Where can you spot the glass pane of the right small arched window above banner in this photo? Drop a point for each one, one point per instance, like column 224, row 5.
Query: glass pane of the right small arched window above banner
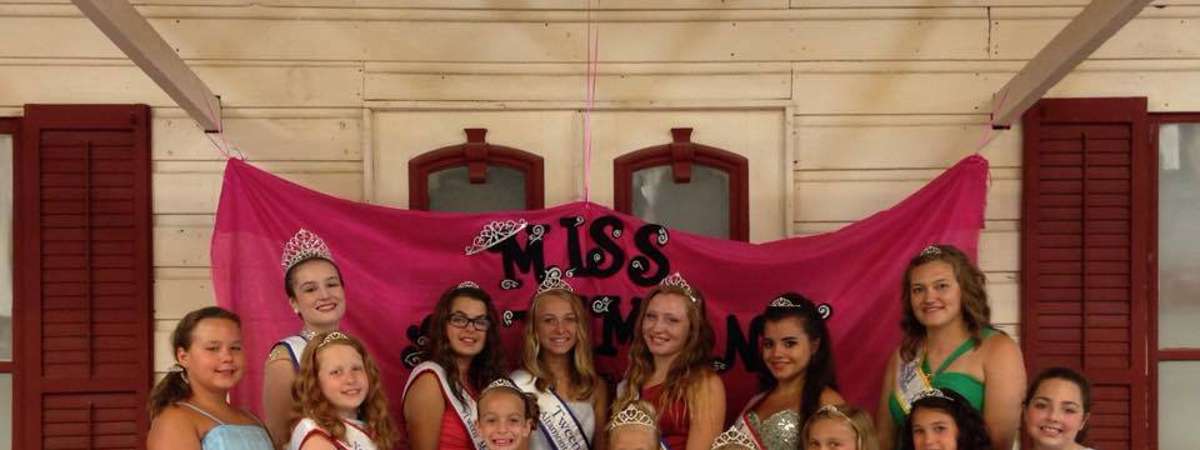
column 701, row 206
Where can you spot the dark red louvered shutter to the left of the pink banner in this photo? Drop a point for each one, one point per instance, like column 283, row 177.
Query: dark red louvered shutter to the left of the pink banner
column 86, row 277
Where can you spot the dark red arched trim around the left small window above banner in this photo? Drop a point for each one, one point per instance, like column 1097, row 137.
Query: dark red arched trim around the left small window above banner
column 477, row 154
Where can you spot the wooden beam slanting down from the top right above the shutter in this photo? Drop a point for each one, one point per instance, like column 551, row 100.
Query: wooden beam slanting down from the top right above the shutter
column 1099, row 22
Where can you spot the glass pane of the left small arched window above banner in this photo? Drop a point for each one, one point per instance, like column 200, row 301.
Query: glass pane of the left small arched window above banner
column 451, row 190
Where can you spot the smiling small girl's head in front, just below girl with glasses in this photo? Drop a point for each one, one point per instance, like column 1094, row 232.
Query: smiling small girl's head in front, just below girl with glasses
column 507, row 416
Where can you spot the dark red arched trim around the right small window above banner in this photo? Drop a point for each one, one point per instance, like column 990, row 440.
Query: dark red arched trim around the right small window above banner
column 681, row 154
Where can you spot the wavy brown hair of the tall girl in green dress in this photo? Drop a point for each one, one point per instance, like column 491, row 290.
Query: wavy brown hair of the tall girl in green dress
column 973, row 284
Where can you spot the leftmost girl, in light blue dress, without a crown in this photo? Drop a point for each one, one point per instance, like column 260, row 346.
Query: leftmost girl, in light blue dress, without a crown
column 189, row 407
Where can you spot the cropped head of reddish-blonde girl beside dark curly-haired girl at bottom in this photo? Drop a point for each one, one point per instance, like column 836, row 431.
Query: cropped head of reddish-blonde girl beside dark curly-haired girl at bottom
column 839, row 427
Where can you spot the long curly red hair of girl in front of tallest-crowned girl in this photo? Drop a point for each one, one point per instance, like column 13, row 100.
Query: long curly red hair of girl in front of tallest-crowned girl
column 309, row 401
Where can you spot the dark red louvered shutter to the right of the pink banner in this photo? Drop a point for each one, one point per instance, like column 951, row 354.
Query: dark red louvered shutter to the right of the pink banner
column 1085, row 221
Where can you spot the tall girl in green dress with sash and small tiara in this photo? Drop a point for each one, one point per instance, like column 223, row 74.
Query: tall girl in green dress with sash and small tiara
column 947, row 326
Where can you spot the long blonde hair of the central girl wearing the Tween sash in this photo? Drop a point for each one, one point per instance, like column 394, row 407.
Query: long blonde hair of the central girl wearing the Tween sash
column 583, row 369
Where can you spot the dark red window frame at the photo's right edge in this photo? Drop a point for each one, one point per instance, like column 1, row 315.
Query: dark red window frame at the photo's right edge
column 1157, row 355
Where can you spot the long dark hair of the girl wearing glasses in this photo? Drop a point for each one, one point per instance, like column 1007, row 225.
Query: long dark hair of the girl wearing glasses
column 489, row 364
